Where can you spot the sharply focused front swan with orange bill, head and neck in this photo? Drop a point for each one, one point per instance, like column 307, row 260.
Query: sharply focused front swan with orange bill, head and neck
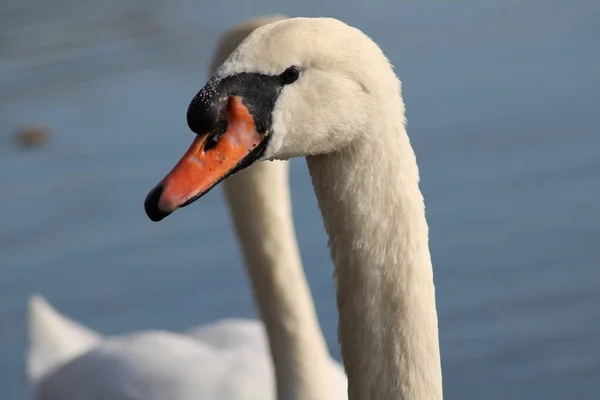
column 321, row 89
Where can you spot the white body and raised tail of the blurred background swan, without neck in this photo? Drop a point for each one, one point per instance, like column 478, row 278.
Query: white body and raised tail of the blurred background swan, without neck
column 226, row 359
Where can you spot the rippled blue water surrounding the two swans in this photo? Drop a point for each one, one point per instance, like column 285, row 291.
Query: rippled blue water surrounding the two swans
column 502, row 101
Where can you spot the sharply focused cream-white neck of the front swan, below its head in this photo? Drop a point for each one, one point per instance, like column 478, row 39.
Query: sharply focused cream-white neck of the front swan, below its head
column 374, row 215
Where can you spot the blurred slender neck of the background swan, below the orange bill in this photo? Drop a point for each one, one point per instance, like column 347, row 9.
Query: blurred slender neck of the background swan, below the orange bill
column 260, row 205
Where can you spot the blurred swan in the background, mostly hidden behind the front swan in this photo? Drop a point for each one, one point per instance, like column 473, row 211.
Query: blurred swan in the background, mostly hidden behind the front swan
column 229, row 359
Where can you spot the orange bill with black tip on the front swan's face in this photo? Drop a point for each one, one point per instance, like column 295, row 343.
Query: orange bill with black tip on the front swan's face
column 206, row 164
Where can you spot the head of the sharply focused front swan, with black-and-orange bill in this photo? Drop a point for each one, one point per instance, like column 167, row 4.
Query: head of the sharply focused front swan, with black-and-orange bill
column 295, row 87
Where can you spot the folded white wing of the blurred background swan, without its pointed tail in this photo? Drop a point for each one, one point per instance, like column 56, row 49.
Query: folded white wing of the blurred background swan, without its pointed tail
column 162, row 365
